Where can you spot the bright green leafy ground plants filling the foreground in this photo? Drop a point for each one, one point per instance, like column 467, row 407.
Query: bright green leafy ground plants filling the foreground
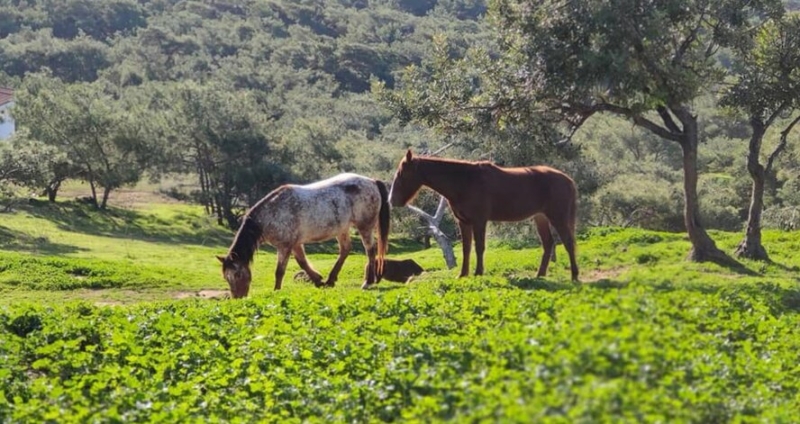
column 468, row 350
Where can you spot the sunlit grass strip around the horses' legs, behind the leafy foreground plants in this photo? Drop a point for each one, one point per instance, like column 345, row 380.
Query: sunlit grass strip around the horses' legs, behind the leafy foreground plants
column 58, row 251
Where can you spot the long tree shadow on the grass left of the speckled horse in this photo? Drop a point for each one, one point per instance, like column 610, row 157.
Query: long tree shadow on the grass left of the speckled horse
column 129, row 224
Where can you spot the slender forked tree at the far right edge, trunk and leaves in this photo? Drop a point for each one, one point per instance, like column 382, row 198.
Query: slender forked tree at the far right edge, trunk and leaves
column 768, row 87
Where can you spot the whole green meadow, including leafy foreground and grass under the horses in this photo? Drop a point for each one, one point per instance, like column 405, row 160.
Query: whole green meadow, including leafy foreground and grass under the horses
column 116, row 316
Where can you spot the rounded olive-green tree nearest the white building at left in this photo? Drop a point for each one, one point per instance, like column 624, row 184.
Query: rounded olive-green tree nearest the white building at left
column 104, row 134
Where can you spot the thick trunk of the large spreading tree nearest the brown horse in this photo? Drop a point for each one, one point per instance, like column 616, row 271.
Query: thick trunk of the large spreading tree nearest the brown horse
column 703, row 247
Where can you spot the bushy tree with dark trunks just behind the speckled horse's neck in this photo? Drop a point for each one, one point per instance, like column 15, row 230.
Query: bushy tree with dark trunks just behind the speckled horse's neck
column 221, row 135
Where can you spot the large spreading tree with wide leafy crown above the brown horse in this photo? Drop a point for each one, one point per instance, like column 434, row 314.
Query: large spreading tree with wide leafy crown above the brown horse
column 557, row 64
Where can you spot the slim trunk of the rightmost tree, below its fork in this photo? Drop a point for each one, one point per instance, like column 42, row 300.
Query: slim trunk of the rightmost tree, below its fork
column 751, row 246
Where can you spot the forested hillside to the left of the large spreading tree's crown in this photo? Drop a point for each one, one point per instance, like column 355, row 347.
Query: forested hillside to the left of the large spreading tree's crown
column 246, row 94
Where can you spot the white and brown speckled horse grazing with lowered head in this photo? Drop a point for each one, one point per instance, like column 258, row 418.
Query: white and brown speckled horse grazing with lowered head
column 292, row 215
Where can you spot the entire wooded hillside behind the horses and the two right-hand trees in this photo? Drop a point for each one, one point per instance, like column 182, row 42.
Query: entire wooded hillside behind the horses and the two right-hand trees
column 283, row 86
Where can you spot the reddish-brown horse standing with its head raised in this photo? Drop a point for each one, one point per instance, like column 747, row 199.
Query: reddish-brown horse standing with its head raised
column 479, row 192
